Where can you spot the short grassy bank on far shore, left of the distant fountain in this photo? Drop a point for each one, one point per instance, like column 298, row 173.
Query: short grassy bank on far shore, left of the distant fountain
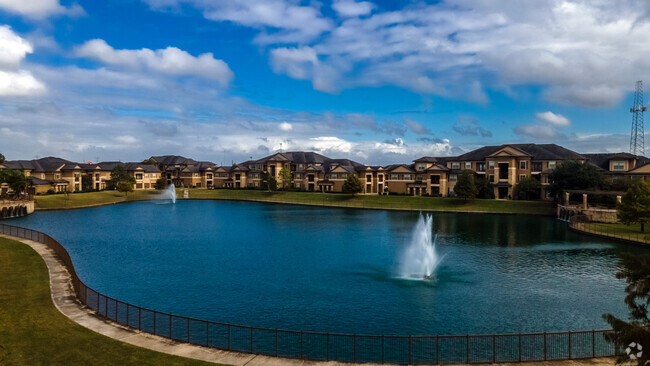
column 79, row 200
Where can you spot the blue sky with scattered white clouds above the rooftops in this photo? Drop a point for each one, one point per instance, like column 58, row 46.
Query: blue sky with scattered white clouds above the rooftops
column 378, row 82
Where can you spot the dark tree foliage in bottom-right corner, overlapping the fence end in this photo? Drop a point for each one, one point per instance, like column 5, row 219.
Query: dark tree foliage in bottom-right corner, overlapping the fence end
column 635, row 270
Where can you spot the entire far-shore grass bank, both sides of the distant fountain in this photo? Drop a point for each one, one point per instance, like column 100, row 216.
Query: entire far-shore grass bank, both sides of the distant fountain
column 392, row 202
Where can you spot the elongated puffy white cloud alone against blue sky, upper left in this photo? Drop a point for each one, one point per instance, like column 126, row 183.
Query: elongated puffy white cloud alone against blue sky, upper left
column 170, row 60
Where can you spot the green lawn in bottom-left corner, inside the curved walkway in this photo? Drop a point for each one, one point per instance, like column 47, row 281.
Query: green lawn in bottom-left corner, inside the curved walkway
column 34, row 332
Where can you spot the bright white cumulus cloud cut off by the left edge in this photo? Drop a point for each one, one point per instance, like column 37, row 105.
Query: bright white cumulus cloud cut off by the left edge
column 13, row 79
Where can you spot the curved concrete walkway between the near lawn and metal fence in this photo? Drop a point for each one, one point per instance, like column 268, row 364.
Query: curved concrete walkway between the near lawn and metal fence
column 65, row 300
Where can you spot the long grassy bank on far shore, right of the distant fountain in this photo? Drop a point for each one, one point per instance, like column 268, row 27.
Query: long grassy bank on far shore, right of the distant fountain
column 377, row 202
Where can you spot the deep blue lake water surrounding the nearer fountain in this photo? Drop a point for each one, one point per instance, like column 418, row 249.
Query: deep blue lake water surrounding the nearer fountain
column 335, row 270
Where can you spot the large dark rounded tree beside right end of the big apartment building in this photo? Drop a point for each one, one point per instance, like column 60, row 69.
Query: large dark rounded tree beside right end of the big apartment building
column 573, row 174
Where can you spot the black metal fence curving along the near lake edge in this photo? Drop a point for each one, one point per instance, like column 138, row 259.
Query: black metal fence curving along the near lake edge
column 437, row 349
